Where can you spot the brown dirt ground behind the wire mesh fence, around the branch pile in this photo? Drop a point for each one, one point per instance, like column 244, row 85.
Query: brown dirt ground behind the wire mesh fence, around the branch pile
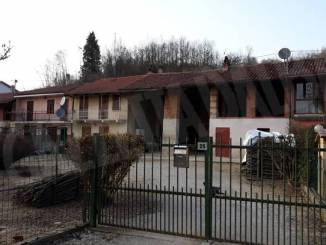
column 20, row 222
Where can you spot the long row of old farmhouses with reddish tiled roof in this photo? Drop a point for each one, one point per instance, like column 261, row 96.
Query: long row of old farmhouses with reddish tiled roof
column 184, row 107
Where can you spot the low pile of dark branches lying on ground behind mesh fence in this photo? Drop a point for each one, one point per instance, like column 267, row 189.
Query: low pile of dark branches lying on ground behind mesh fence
column 51, row 190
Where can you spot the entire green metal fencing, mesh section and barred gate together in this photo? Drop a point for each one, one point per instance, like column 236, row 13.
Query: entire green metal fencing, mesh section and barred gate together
column 267, row 198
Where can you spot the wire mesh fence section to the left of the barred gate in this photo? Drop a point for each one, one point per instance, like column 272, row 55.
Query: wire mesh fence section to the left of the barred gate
column 22, row 218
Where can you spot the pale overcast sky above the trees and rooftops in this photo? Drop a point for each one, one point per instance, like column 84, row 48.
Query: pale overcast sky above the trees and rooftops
column 38, row 28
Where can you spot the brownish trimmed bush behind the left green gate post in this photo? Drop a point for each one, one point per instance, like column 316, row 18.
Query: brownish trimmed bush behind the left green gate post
column 114, row 154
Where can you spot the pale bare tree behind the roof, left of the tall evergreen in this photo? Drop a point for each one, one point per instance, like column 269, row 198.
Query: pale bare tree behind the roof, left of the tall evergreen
column 55, row 72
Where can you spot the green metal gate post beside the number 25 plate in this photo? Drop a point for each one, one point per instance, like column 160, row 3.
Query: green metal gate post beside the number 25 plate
column 208, row 189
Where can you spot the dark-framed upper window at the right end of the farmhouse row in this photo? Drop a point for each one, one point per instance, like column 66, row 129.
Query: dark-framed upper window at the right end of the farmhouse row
column 308, row 98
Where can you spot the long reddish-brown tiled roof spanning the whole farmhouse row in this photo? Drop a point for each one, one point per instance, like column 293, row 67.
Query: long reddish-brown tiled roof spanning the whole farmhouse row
column 261, row 72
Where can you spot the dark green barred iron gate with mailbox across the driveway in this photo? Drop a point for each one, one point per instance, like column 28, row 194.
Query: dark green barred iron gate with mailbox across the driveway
column 219, row 198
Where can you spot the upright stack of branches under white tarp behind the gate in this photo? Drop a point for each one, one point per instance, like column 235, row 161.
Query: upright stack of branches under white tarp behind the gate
column 269, row 159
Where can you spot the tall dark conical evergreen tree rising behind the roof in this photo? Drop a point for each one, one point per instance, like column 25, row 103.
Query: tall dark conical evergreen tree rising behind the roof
column 91, row 68
